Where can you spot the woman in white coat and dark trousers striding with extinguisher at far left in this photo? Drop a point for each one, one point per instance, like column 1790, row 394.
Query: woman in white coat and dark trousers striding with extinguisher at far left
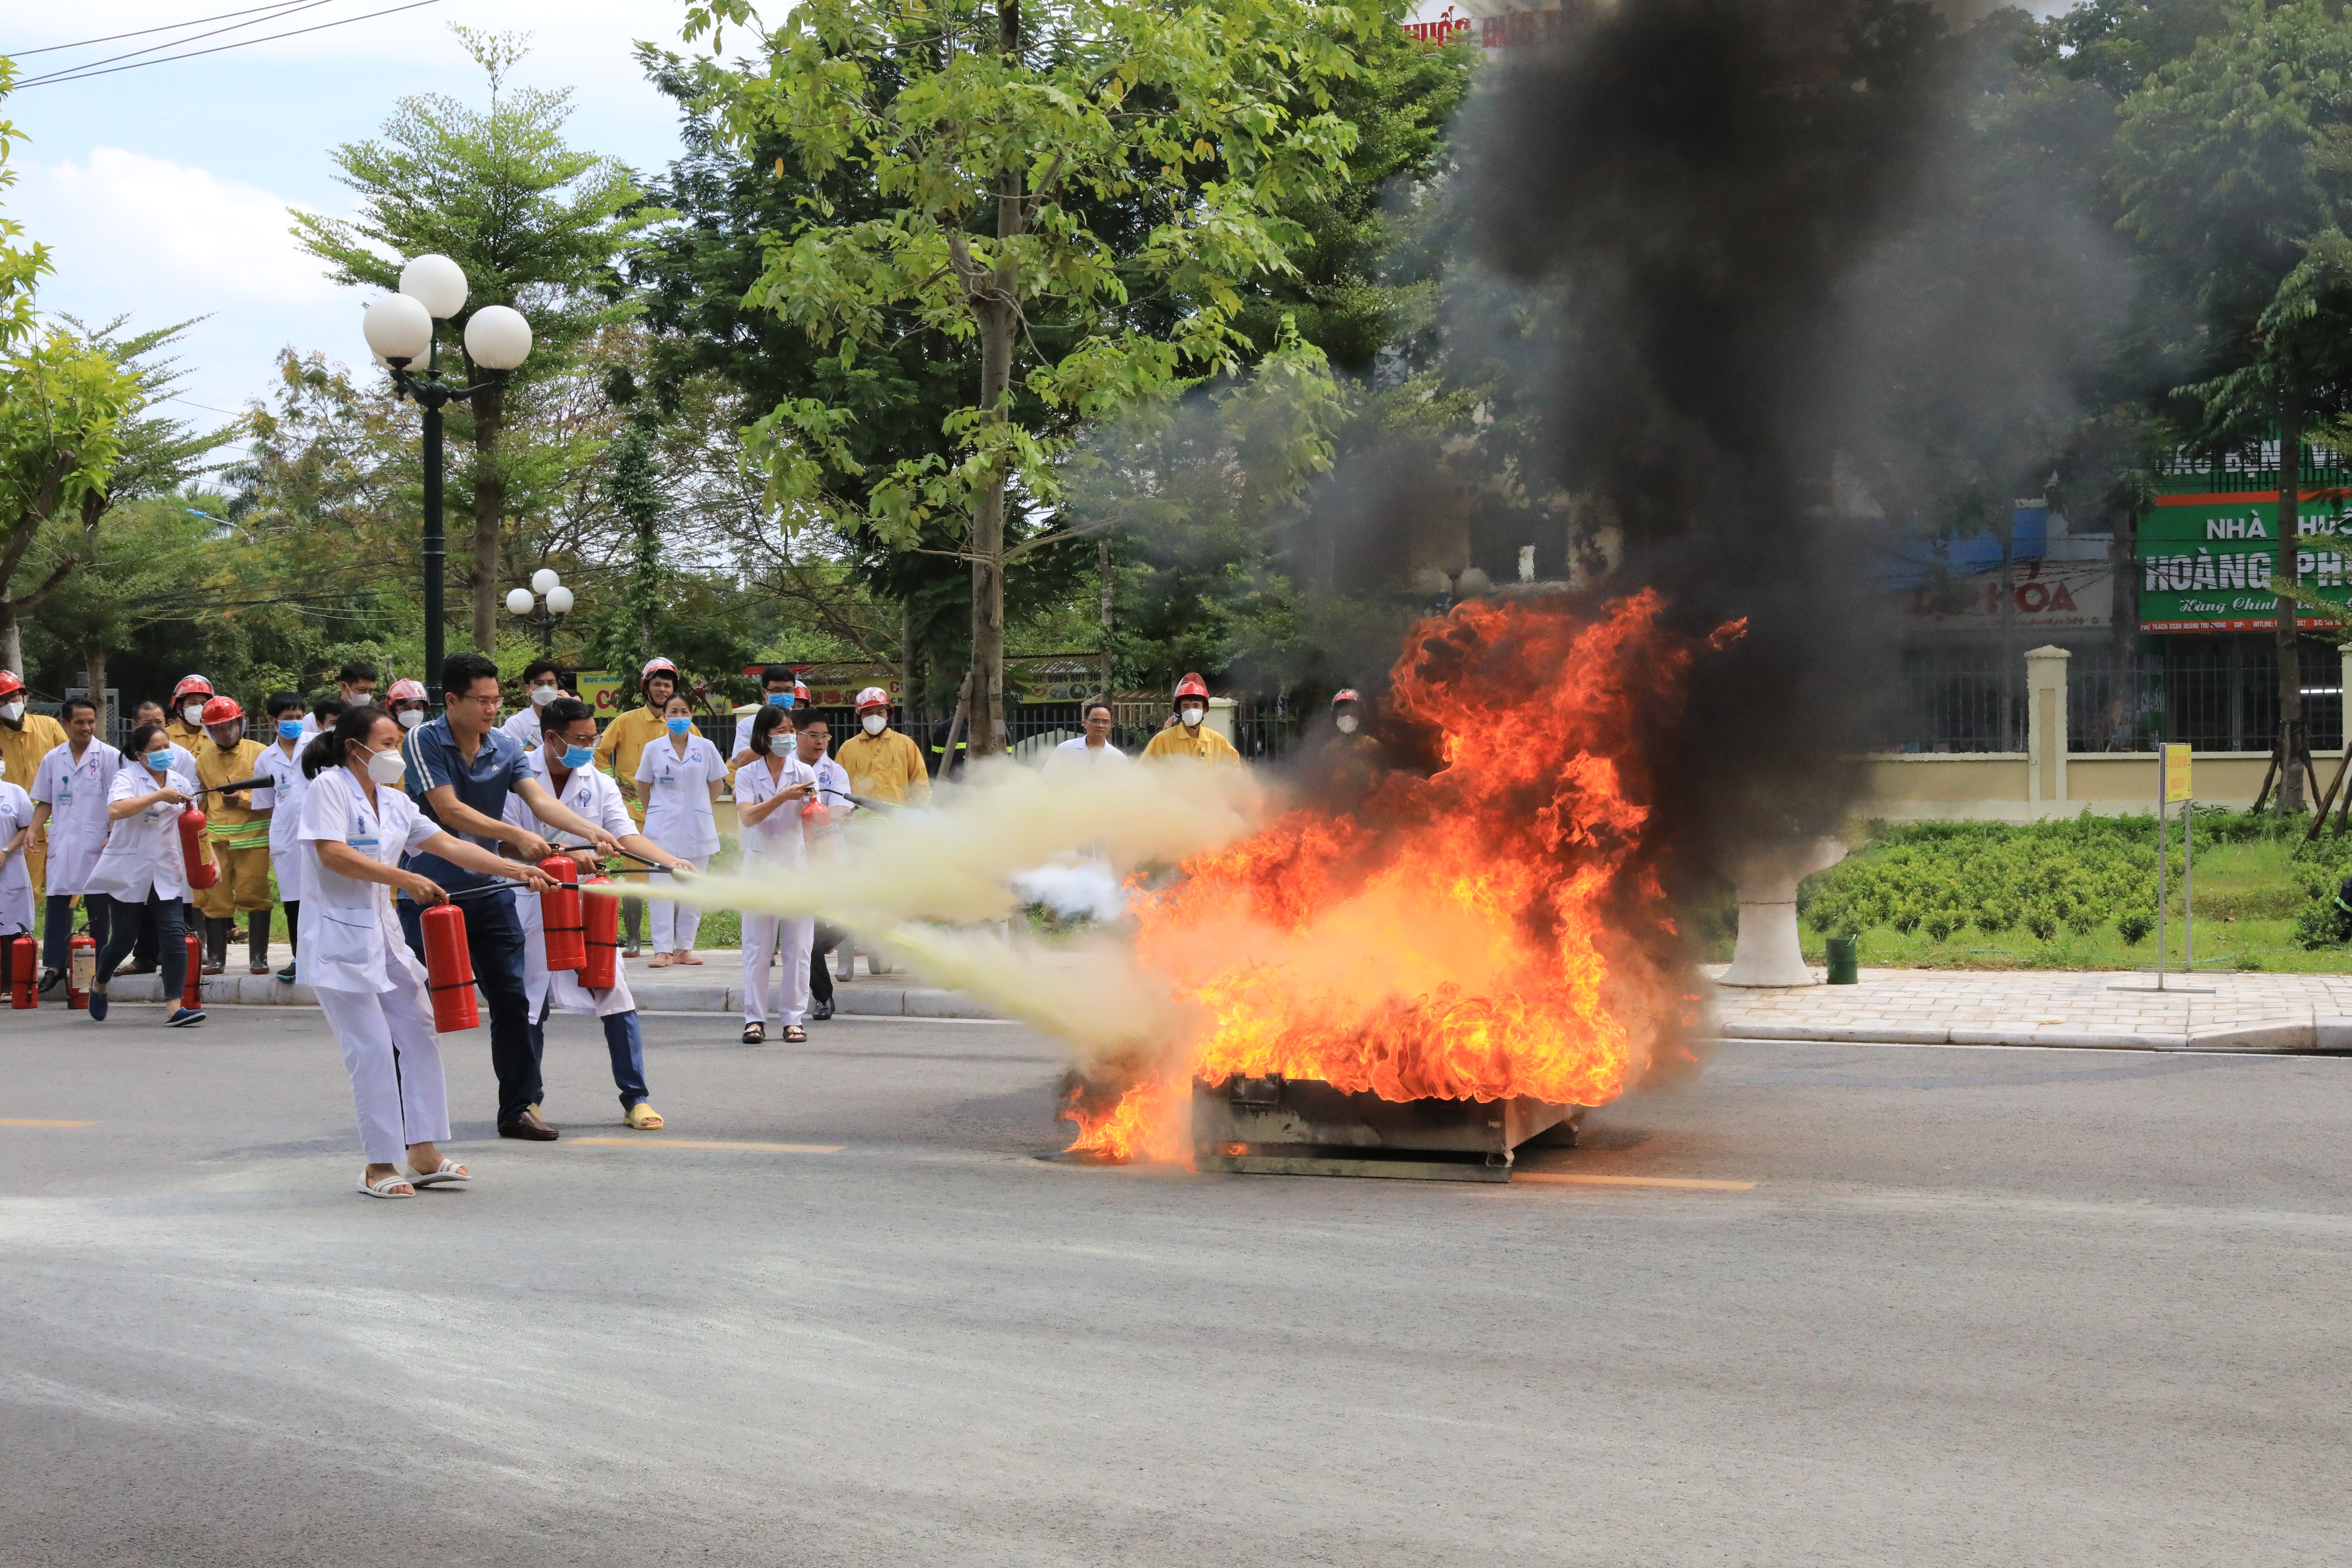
column 145, row 869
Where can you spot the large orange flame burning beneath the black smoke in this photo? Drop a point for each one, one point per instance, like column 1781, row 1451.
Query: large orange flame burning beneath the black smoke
column 1492, row 930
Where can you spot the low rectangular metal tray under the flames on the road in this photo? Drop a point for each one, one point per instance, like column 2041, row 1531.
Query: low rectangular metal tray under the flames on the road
column 1307, row 1127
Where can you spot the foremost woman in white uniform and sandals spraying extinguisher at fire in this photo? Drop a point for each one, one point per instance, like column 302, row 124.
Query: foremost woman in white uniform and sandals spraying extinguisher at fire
column 356, row 829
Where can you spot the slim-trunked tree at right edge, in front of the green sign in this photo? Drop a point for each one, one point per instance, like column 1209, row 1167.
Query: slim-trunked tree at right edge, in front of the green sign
column 2236, row 173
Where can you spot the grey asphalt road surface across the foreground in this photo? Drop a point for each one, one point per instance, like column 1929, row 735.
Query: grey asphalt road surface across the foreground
column 1979, row 1308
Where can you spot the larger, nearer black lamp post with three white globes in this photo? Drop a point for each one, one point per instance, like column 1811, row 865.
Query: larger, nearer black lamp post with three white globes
column 401, row 330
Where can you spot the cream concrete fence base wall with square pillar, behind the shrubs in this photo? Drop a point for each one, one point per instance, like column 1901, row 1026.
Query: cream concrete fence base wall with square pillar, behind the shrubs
column 2047, row 779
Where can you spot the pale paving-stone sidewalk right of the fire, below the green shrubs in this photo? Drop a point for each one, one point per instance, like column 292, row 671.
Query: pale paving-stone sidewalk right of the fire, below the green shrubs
column 2038, row 1007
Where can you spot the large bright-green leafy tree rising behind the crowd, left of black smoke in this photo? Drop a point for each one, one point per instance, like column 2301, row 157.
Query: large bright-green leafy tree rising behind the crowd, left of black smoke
column 1074, row 196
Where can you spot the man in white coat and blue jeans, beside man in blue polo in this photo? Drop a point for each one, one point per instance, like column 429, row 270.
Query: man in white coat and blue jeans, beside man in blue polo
column 566, row 765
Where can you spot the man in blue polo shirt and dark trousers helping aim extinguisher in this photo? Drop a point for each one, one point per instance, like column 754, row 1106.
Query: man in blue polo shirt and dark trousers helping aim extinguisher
column 462, row 772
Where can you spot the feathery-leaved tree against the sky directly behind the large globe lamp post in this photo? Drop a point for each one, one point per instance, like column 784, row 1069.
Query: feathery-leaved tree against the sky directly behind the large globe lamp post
column 533, row 222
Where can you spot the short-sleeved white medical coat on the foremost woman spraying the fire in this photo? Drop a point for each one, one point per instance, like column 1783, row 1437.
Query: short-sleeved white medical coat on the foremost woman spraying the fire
column 349, row 932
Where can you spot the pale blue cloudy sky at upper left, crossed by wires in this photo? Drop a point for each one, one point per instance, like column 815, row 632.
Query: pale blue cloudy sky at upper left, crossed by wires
column 163, row 192
